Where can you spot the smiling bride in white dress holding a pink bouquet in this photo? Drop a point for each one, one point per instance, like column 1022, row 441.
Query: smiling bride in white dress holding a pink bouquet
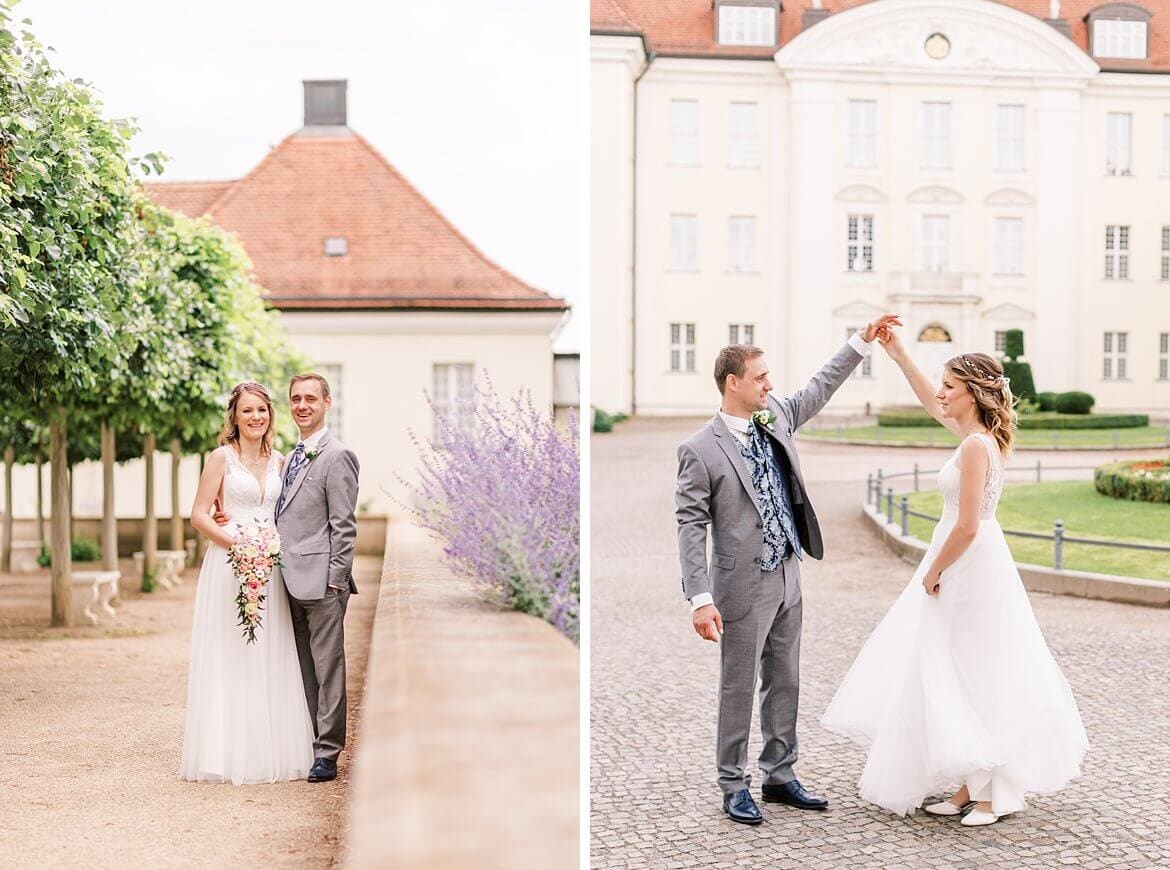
column 247, row 719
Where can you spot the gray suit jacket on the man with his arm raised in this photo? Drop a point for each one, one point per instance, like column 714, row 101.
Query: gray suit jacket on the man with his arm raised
column 714, row 492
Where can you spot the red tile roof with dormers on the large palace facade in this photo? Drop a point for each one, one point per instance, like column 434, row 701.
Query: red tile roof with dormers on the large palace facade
column 687, row 27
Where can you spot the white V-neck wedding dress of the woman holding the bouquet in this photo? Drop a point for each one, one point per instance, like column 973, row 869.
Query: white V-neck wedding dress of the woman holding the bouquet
column 247, row 717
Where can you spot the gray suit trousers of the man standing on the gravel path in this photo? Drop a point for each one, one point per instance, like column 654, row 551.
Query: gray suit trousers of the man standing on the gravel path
column 320, row 631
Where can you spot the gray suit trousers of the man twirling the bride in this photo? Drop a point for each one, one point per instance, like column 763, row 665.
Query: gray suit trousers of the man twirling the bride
column 765, row 645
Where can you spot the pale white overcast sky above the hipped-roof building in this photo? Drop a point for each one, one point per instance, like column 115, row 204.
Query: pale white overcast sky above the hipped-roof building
column 479, row 105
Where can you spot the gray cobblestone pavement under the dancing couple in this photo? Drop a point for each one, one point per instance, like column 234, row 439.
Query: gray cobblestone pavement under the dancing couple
column 655, row 803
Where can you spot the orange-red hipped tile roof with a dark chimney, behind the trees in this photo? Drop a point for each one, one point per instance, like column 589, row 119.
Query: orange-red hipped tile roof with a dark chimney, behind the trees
column 329, row 182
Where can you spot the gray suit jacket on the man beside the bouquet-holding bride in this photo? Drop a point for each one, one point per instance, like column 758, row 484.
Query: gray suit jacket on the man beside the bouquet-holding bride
column 316, row 523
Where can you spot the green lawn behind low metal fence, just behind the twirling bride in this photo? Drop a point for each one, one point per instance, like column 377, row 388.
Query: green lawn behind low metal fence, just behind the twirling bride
column 1086, row 514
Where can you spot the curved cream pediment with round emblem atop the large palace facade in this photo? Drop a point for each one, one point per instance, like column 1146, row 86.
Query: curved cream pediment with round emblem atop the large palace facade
column 981, row 37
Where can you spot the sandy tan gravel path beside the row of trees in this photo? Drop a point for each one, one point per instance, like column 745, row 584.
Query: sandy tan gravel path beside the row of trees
column 92, row 731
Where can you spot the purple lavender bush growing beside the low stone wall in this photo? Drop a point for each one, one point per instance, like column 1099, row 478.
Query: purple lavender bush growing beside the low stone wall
column 503, row 491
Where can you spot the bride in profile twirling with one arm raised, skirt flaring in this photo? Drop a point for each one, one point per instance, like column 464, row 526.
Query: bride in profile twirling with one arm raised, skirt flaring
column 956, row 686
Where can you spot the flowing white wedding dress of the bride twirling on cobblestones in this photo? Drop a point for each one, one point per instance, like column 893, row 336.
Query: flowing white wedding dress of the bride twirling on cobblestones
column 960, row 688
